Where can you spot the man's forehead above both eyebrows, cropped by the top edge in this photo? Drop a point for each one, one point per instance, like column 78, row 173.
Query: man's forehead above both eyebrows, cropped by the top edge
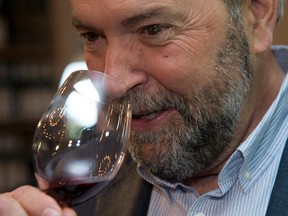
column 107, row 10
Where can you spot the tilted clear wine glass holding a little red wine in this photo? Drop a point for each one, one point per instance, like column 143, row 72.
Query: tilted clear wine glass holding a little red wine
column 79, row 142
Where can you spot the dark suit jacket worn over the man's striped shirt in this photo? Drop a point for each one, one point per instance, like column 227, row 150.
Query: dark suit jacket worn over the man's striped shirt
column 128, row 194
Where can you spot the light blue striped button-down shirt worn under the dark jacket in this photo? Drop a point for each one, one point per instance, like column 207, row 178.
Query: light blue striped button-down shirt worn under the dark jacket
column 247, row 179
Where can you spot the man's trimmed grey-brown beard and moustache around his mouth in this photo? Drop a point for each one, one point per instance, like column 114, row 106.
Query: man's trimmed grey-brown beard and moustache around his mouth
column 194, row 140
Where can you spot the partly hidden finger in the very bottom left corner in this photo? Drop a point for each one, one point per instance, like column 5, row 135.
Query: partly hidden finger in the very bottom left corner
column 9, row 206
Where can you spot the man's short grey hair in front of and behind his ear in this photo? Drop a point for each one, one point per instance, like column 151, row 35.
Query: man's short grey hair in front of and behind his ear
column 234, row 8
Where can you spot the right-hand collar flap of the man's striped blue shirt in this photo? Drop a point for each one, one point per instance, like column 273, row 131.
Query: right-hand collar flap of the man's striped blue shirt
column 260, row 148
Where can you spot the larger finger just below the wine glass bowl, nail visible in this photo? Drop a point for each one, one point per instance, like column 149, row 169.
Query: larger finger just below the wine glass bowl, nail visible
column 35, row 202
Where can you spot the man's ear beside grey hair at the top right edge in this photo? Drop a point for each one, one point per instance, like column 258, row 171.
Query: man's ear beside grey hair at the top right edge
column 264, row 15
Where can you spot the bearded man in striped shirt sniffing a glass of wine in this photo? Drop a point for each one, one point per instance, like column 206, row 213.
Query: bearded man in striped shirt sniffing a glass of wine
column 209, row 98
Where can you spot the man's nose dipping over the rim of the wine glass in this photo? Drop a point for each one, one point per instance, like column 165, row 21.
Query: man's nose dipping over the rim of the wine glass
column 123, row 62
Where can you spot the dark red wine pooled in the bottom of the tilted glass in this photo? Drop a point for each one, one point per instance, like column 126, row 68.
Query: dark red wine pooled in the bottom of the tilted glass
column 72, row 194
